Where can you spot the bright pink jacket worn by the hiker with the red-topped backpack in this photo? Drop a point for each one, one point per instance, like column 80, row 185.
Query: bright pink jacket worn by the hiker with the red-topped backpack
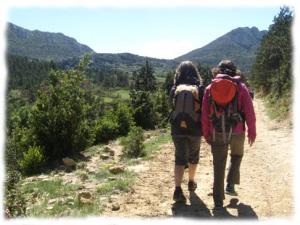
column 245, row 105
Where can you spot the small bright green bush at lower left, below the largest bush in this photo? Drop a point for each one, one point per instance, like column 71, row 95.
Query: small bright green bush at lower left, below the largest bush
column 33, row 160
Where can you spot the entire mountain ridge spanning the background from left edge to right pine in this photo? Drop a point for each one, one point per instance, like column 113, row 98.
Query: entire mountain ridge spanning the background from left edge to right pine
column 239, row 45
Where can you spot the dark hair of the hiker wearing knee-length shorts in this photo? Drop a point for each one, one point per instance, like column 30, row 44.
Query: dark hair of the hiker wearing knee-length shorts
column 187, row 73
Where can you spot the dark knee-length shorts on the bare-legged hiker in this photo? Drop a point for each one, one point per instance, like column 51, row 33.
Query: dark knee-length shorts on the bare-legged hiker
column 187, row 149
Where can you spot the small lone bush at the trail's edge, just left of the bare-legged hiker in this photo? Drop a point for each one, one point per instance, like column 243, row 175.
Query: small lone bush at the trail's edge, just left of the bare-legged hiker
column 134, row 143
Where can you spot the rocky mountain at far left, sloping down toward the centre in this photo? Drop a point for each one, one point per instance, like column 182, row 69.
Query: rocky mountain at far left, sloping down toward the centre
column 42, row 45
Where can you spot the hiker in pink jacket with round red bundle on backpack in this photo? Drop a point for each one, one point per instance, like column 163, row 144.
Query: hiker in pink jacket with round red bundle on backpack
column 226, row 107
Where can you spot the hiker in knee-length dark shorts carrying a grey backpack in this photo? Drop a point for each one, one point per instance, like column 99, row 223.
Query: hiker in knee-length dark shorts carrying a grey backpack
column 186, row 97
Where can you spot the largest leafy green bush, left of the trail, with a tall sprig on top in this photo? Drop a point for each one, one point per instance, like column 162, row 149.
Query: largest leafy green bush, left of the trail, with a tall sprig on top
column 63, row 113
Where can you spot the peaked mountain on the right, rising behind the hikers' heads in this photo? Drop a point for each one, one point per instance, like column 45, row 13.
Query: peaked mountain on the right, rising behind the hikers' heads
column 238, row 45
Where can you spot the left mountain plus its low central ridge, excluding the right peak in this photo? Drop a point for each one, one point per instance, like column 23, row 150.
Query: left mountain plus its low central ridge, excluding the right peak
column 58, row 47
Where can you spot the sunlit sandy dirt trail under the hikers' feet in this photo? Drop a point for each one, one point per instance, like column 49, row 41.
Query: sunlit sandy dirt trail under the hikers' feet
column 266, row 189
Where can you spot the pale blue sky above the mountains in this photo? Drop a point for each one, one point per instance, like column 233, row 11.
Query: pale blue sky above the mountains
column 155, row 32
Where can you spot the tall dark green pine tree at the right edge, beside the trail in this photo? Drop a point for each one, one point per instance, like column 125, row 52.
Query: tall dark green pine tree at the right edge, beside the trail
column 271, row 72
